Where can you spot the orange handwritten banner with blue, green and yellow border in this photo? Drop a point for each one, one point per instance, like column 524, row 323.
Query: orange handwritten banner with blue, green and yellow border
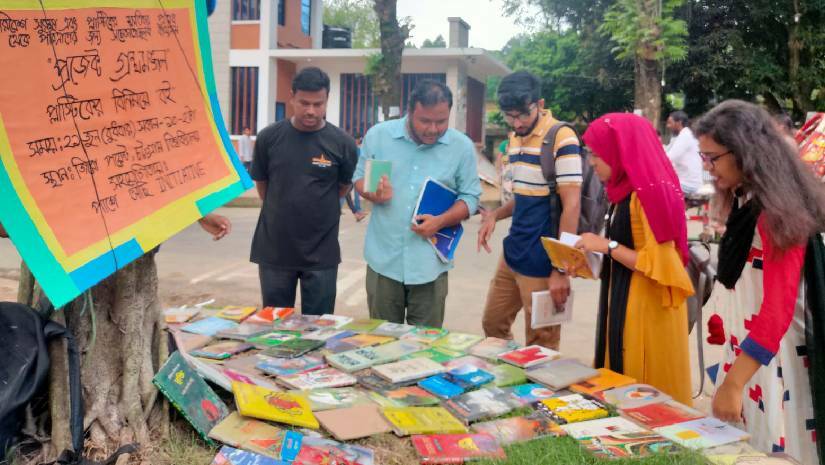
column 111, row 138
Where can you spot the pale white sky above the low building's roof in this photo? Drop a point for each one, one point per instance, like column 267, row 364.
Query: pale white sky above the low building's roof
column 488, row 28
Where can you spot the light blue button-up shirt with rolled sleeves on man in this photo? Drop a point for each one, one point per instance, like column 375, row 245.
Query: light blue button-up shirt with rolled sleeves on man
column 391, row 248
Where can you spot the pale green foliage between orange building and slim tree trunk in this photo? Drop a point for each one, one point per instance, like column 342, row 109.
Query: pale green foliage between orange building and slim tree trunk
column 359, row 16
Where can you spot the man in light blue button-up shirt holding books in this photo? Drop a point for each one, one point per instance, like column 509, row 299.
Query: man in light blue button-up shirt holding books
column 406, row 281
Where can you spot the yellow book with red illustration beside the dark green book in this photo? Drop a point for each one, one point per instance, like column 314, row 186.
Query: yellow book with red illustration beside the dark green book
column 283, row 407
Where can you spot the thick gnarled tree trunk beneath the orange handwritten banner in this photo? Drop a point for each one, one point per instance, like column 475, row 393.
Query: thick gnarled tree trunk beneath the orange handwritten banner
column 119, row 334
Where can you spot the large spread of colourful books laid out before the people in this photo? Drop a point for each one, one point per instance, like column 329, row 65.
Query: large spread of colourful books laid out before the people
column 304, row 387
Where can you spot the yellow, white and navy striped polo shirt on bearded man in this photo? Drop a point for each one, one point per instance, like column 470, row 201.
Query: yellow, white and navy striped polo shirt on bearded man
column 532, row 216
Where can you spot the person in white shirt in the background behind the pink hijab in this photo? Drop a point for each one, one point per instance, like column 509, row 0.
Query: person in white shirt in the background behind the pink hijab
column 683, row 152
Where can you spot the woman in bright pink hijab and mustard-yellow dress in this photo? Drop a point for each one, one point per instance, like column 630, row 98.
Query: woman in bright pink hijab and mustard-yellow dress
column 642, row 328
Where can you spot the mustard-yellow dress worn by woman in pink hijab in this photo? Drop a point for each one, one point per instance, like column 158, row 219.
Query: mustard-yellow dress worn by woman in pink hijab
column 655, row 332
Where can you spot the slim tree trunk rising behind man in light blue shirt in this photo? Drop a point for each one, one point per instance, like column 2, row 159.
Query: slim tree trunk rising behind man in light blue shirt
column 387, row 79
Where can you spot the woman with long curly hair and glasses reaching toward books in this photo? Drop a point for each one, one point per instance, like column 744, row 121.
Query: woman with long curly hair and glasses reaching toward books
column 773, row 206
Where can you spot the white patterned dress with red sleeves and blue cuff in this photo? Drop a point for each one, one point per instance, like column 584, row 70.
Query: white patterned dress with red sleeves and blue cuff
column 763, row 316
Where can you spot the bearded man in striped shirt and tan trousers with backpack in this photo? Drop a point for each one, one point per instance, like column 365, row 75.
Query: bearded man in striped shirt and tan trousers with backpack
column 524, row 267
